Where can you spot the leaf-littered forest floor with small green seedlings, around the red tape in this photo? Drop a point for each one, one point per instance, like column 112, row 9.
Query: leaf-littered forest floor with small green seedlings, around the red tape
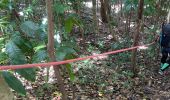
column 108, row 77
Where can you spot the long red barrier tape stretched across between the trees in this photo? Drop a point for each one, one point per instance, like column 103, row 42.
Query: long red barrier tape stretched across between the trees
column 48, row 64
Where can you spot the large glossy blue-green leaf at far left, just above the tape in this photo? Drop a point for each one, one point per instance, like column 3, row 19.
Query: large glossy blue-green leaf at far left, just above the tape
column 15, row 54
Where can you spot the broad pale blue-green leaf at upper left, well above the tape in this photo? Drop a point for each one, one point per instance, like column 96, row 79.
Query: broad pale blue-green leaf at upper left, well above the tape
column 29, row 28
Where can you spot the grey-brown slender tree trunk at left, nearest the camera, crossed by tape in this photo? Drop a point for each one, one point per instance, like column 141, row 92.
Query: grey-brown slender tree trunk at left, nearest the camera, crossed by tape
column 51, row 49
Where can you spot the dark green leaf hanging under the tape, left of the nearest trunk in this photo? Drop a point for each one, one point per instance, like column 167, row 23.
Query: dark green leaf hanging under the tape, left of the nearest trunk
column 29, row 73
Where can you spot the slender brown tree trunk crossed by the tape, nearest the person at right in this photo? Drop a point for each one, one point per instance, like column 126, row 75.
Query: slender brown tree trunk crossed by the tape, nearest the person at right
column 136, row 36
